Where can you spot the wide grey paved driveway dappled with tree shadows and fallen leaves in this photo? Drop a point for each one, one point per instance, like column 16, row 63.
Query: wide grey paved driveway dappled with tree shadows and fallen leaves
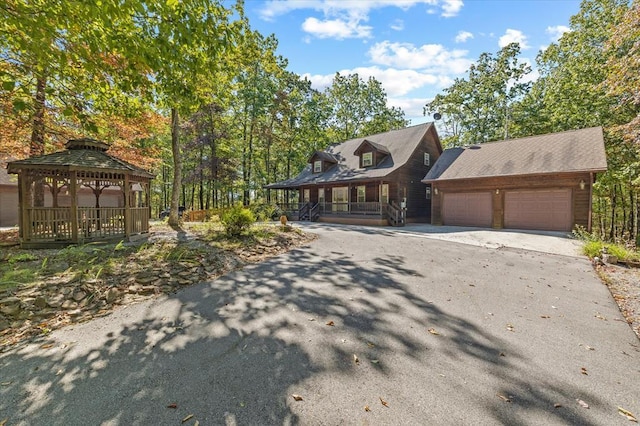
column 367, row 325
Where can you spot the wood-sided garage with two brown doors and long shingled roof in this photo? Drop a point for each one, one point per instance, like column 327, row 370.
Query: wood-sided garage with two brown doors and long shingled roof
column 539, row 182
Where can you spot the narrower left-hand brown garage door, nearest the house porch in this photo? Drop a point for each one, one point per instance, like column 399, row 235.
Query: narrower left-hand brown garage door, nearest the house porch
column 467, row 209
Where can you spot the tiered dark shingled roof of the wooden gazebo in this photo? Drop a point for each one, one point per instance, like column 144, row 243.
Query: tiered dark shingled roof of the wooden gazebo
column 81, row 155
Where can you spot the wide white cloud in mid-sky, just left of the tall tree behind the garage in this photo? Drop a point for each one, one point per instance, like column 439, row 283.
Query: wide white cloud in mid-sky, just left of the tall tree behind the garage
column 433, row 57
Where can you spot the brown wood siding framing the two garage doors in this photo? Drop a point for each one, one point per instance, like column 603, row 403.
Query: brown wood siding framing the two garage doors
column 580, row 204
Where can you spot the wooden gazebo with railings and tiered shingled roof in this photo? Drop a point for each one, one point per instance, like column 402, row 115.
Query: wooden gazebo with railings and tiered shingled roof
column 79, row 195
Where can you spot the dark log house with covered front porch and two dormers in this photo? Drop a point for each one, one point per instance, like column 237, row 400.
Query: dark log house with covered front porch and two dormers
column 369, row 180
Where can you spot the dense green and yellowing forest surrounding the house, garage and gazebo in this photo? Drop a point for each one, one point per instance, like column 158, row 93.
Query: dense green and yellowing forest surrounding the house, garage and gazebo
column 188, row 90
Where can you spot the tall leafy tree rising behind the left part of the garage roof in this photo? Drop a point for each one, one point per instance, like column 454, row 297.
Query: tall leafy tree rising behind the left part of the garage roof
column 478, row 109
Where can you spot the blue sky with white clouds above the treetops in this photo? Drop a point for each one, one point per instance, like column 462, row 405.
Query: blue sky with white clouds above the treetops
column 415, row 48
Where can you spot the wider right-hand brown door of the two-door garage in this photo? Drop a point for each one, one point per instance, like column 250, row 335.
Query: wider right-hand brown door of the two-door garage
column 546, row 210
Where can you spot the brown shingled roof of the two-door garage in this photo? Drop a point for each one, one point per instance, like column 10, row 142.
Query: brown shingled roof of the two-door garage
column 571, row 151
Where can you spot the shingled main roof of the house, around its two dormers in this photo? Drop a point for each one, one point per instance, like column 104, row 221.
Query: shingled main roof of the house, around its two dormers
column 399, row 143
